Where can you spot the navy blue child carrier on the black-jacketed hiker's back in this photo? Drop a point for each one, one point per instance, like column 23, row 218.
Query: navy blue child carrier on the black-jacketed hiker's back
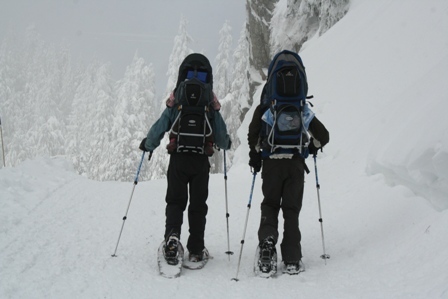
column 283, row 102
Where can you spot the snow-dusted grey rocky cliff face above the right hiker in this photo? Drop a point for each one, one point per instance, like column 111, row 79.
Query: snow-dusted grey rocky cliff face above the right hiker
column 274, row 25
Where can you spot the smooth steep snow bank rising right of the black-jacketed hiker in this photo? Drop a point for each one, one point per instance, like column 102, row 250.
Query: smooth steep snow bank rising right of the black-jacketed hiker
column 380, row 85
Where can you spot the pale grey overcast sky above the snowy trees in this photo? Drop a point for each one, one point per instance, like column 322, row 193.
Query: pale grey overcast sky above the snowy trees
column 112, row 30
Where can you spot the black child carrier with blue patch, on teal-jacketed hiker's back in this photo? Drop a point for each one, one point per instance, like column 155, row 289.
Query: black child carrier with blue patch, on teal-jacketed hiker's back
column 192, row 132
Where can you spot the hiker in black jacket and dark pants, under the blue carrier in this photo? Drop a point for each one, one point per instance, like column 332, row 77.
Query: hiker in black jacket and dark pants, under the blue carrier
column 283, row 182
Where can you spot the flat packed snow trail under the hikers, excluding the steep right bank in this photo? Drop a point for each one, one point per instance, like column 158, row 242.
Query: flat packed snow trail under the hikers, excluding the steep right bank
column 59, row 231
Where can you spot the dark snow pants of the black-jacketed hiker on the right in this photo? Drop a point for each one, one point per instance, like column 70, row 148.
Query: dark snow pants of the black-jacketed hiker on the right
column 282, row 187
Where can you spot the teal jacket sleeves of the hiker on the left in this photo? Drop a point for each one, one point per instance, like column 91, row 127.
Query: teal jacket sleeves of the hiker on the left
column 166, row 120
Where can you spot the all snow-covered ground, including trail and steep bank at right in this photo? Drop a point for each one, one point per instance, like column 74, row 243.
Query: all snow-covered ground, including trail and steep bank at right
column 379, row 81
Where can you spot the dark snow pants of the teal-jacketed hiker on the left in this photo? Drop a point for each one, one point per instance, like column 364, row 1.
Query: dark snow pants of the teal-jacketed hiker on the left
column 187, row 176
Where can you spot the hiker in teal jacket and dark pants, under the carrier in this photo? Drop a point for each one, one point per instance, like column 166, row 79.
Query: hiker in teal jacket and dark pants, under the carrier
column 188, row 172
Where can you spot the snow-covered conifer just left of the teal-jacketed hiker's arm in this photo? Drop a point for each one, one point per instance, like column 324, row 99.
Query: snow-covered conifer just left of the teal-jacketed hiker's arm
column 134, row 111
